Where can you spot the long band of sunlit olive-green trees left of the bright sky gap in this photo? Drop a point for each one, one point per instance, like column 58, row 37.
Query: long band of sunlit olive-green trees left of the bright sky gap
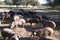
column 21, row 2
